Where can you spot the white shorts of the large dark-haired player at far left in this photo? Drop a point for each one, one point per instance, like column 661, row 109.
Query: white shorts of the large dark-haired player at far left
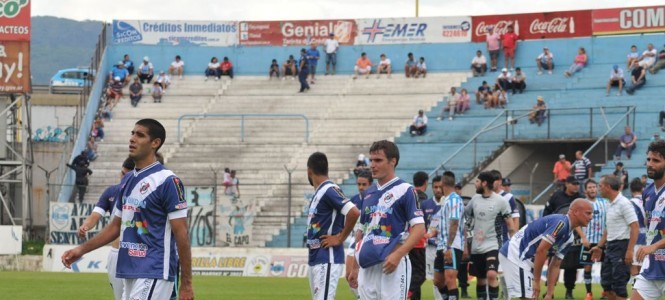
column 147, row 289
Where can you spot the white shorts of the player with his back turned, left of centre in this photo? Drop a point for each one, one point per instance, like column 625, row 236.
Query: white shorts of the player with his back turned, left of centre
column 323, row 280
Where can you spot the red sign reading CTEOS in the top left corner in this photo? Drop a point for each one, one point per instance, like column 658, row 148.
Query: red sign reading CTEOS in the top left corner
column 15, row 20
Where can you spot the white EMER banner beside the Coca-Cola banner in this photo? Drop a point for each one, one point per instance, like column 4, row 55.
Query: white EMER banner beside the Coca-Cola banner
column 414, row 30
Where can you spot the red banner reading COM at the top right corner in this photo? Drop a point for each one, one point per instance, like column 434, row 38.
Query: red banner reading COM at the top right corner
column 628, row 20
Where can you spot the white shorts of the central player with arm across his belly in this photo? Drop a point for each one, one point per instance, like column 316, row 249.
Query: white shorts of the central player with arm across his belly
column 373, row 284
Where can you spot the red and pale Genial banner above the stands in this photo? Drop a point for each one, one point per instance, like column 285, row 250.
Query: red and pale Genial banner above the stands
column 287, row 33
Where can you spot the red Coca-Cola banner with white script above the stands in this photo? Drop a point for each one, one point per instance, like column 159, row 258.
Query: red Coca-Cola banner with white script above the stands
column 564, row 24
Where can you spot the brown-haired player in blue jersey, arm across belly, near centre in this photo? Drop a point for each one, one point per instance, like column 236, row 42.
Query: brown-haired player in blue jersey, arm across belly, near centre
column 389, row 211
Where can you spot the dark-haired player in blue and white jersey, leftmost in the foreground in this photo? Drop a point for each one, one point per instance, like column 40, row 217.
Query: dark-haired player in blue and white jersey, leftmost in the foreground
column 151, row 219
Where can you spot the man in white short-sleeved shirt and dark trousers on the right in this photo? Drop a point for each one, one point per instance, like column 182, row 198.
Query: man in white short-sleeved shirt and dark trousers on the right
column 620, row 236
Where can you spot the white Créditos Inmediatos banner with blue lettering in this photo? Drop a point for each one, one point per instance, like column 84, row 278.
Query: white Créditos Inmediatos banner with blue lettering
column 175, row 33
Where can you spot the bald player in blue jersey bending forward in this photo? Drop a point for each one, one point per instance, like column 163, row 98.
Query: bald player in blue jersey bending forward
column 526, row 252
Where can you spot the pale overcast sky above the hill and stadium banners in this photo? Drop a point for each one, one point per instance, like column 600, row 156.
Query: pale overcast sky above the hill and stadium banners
column 105, row 10
